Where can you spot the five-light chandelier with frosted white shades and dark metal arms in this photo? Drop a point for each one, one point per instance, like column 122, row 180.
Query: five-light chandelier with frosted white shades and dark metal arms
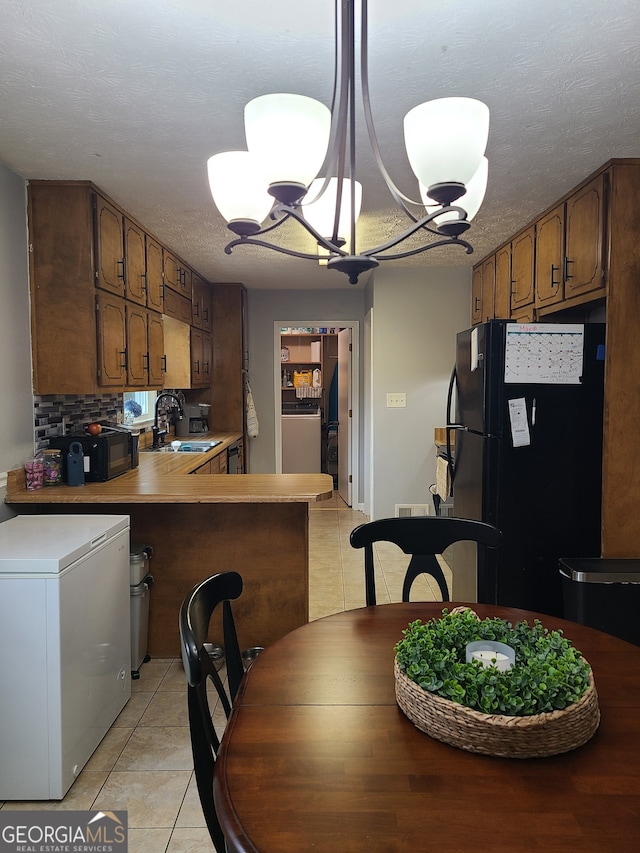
column 290, row 137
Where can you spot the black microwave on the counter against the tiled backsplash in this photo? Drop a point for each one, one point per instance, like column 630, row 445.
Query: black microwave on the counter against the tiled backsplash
column 106, row 455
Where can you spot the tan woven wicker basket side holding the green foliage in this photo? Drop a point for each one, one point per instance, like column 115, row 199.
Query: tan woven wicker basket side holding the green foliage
column 495, row 734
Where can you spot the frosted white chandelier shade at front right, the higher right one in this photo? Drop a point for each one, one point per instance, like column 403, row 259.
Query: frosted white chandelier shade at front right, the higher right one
column 445, row 140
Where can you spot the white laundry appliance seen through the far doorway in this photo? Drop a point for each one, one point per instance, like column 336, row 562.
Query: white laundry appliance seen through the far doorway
column 301, row 438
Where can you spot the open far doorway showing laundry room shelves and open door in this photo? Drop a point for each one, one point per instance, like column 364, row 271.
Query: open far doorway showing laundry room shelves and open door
column 336, row 393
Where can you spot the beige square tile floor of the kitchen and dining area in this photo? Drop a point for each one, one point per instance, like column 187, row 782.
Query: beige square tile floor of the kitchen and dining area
column 144, row 763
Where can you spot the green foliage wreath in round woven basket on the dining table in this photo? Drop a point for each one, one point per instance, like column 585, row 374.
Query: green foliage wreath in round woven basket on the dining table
column 544, row 705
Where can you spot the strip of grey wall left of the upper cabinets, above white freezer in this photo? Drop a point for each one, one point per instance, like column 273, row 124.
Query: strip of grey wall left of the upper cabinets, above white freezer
column 16, row 414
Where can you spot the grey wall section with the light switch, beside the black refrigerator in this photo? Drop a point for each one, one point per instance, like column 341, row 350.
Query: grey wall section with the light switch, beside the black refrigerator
column 414, row 319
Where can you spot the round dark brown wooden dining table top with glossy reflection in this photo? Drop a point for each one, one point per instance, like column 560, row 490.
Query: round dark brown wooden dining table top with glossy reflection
column 317, row 756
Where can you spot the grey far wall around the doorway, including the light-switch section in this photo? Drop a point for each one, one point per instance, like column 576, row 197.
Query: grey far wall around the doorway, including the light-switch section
column 408, row 323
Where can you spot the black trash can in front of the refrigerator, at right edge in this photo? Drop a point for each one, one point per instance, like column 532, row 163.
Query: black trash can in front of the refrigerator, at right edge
column 603, row 594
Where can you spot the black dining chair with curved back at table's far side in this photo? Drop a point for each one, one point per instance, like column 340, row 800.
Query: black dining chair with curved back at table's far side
column 423, row 538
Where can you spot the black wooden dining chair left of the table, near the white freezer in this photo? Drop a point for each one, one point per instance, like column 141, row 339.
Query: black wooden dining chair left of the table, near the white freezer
column 200, row 669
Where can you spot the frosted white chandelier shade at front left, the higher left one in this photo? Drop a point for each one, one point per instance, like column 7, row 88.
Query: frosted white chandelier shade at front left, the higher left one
column 288, row 136
